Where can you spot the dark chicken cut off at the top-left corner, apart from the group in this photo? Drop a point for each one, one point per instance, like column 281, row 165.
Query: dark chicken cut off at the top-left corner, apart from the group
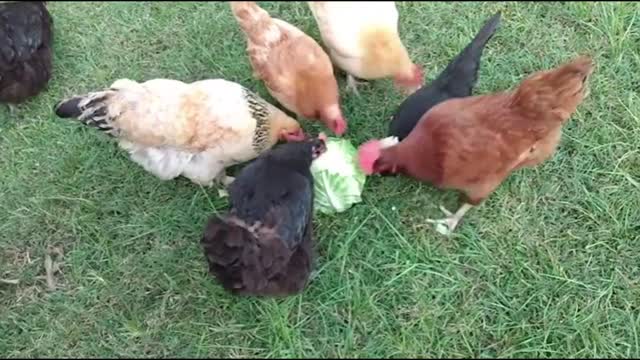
column 26, row 37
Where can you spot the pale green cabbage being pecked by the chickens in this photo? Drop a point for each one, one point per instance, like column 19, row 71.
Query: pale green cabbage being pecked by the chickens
column 338, row 180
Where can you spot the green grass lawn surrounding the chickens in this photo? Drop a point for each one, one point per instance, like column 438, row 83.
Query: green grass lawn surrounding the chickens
column 547, row 266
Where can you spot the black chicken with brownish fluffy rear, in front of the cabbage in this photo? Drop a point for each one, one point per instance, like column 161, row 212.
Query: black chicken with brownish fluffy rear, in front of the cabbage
column 263, row 246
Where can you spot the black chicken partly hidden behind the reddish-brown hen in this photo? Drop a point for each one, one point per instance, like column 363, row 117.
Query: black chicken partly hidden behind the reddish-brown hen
column 456, row 80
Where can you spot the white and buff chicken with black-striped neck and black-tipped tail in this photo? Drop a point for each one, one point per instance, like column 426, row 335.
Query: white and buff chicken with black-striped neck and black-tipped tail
column 172, row 128
